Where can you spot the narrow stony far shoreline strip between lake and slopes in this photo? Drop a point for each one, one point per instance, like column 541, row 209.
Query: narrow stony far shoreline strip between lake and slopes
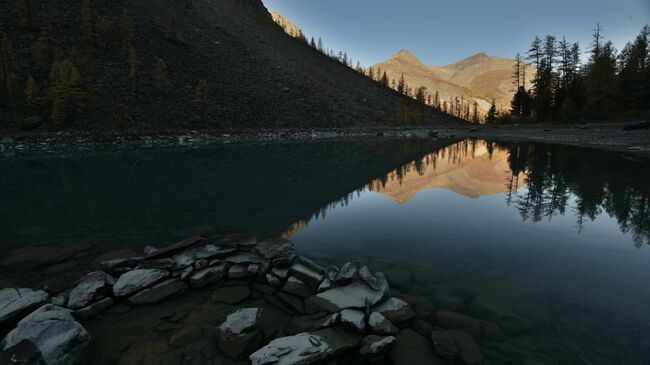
column 609, row 137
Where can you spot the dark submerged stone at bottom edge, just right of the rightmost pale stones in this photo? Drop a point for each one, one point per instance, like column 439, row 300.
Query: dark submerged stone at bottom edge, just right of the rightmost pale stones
column 413, row 349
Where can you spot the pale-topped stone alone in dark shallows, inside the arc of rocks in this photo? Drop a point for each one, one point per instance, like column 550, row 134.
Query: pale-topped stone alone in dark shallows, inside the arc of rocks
column 238, row 335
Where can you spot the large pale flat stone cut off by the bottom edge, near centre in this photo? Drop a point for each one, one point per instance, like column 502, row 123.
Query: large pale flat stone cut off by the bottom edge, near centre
column 305, row 348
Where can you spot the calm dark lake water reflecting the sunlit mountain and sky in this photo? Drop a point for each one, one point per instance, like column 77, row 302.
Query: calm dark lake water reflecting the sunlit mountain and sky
column 559, row 234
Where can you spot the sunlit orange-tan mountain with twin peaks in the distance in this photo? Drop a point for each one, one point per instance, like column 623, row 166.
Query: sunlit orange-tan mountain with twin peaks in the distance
column 479, row 78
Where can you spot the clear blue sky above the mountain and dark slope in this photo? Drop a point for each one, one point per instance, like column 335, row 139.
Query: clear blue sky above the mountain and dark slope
column 443, row 31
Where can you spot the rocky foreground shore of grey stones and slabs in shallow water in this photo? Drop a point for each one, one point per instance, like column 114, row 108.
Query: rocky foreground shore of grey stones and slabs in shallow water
column 281, row 309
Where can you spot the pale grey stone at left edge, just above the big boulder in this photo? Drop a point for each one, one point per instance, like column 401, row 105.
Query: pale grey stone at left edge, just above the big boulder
column 16, row 303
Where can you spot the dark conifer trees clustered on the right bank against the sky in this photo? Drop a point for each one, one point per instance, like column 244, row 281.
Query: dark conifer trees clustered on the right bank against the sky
column 565, row 88
